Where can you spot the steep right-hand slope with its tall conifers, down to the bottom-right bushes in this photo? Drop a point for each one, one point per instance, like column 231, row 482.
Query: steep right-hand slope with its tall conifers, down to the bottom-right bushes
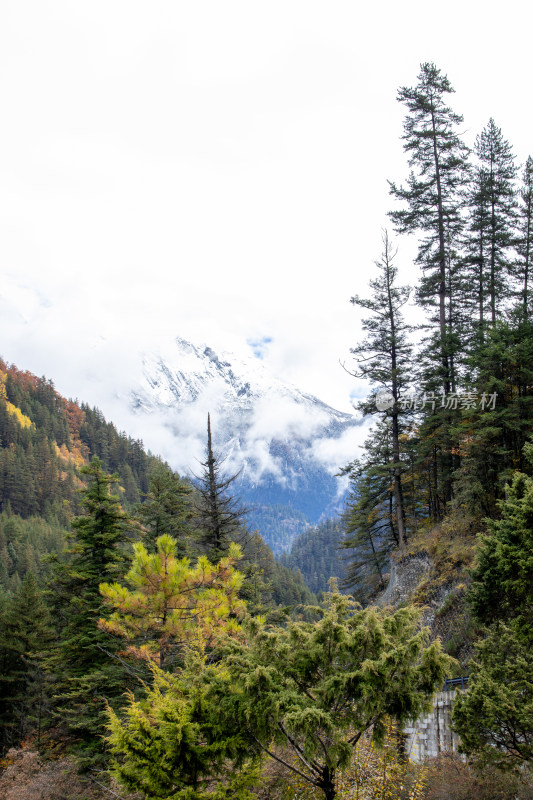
column 445, row 475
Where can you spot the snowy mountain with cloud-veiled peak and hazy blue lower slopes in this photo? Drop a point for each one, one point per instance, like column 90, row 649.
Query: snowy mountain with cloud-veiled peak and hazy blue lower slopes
column 288, row 445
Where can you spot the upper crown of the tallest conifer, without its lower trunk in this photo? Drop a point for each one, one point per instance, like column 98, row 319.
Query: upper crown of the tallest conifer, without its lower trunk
column 440, row 170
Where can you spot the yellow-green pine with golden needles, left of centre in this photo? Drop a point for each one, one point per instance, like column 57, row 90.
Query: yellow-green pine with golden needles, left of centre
column 170, row 605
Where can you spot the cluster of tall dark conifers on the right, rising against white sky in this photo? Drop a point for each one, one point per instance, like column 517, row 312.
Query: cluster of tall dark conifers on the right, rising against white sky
column 453, row 399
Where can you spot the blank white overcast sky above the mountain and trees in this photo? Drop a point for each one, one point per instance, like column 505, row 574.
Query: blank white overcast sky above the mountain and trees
column 218, row 171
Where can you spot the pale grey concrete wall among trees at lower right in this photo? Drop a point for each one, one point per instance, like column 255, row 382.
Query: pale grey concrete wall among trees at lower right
column 431, row 734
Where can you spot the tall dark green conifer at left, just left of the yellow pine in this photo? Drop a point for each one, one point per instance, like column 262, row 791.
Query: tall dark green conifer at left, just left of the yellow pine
column 87, row 674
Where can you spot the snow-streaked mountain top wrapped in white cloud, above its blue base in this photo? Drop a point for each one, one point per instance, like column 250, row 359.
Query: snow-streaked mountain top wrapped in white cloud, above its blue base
column 259, row 424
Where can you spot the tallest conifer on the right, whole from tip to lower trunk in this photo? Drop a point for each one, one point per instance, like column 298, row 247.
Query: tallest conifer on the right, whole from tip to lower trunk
column 433, row 195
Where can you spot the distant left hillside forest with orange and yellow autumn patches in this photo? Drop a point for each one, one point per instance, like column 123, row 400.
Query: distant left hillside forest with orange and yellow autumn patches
column 45, row 439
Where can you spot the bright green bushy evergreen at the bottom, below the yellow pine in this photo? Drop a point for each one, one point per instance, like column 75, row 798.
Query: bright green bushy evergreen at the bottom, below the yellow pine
column 173, row 743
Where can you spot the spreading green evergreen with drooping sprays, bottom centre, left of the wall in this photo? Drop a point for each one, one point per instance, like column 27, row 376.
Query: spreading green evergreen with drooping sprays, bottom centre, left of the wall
column 315, row 688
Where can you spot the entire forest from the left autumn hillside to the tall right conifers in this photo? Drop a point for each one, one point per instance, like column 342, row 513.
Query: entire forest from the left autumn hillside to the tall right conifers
column 149, row 637
